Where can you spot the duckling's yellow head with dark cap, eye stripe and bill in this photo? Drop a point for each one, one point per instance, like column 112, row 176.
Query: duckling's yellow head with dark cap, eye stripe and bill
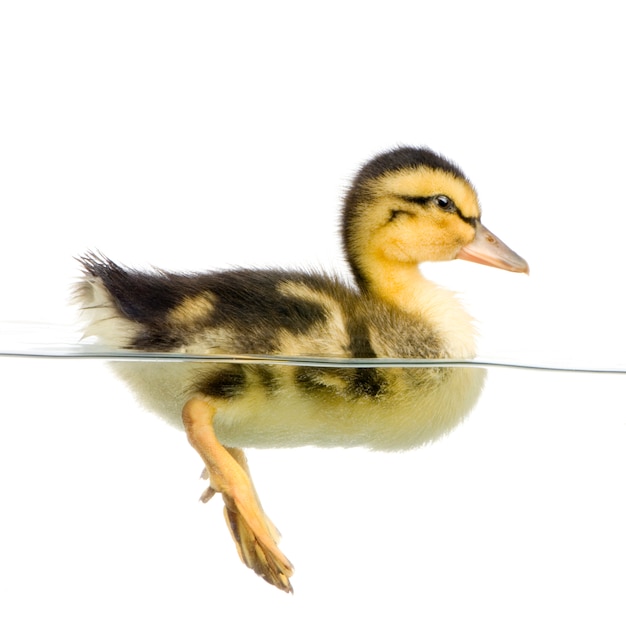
column 411, row 205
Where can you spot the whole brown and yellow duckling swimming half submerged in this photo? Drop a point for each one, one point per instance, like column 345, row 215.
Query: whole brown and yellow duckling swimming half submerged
column 404, row 207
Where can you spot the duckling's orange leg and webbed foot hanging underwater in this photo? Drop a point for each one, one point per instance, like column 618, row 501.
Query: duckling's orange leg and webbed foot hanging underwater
column 255, row 536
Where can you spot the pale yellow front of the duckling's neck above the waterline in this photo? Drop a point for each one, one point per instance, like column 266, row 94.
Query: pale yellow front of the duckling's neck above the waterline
column 404, row 286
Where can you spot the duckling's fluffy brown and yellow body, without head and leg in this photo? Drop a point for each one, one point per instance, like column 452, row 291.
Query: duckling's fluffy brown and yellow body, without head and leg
column 273, row 312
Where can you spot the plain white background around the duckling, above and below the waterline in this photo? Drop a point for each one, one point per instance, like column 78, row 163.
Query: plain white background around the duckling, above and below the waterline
column 199, row 135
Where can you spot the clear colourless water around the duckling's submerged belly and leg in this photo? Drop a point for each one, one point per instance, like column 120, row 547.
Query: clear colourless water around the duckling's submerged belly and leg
column 519, row 511
